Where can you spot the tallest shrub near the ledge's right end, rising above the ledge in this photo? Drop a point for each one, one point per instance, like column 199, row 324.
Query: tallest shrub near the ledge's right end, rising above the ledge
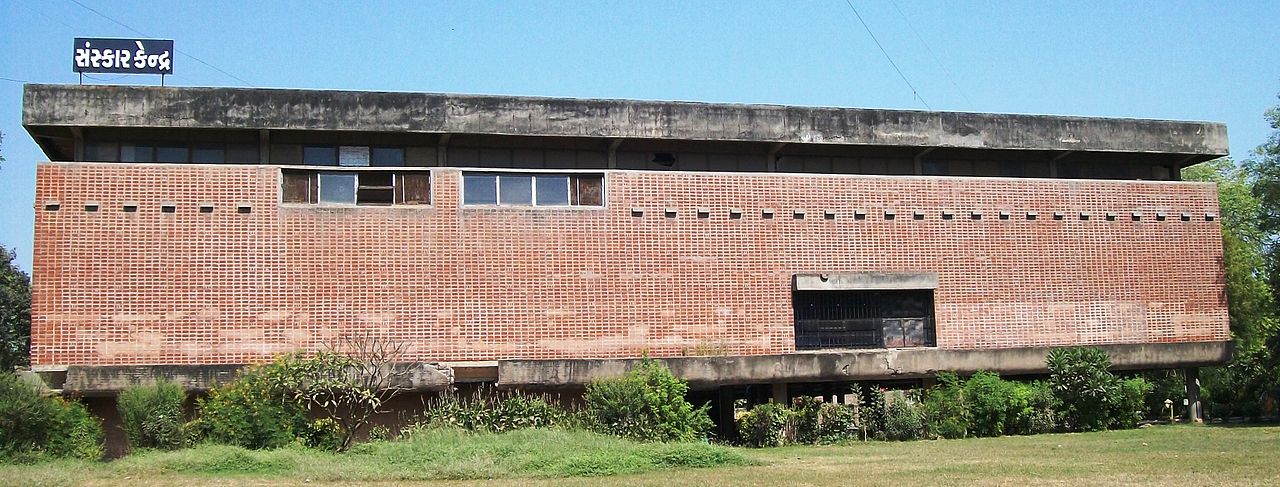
column 1086, row 389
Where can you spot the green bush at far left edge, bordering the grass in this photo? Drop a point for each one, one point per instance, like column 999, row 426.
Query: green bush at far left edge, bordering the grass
column 33, row 425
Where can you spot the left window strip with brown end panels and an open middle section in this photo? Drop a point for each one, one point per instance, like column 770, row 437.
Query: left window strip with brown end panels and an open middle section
column 355, row 188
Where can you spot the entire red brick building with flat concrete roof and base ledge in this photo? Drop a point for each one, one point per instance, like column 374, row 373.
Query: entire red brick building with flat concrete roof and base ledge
column 543, row 243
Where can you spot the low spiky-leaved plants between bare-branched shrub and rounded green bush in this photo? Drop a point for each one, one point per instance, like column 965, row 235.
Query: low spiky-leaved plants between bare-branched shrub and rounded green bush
column 493, row 412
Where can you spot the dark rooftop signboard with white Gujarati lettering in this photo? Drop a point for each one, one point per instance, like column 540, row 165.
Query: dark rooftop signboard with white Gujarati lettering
column 124, row 56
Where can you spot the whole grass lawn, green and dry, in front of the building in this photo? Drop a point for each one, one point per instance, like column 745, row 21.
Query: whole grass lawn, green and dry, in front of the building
column 1172, row 456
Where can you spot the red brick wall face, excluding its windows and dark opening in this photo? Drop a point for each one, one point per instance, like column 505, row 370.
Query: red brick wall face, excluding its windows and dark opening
column 465, row 284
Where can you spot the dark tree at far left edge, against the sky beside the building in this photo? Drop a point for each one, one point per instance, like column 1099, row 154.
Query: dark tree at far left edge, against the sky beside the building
column 15, row 313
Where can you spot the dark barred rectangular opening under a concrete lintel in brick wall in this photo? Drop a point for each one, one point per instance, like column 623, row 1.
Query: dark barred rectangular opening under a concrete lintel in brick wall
column 863, row 320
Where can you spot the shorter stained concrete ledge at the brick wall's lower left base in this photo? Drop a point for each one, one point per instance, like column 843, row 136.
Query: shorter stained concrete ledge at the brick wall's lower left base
column 109, row 380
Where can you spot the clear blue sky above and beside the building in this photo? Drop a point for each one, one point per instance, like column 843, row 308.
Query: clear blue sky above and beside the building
column 1203, row 61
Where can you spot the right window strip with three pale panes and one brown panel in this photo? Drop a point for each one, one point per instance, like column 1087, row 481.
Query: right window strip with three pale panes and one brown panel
column 533, row 190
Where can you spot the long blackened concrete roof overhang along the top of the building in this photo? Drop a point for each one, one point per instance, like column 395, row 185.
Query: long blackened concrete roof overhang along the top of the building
column 52, row 111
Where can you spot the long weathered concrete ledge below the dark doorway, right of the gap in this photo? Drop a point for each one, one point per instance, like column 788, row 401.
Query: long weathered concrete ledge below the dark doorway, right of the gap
column 705, row 372
